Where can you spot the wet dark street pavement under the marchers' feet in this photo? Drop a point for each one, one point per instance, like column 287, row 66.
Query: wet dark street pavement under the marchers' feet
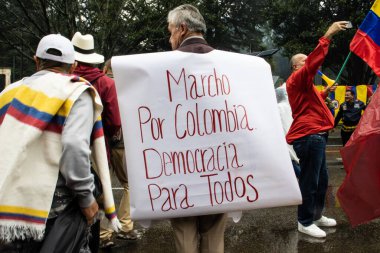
column 274, row 230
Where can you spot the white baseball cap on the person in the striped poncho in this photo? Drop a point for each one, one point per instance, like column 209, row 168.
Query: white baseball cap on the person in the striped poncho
column 65, row 49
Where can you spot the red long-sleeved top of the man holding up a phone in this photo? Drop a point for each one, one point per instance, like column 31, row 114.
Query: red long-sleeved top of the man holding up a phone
column 310, row 113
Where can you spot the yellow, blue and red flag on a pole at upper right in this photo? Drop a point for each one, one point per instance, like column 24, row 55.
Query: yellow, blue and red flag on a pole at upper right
column 366, row 42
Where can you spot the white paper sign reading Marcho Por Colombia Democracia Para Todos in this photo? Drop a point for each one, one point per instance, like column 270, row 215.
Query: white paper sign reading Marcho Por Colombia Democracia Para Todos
column 202, row 134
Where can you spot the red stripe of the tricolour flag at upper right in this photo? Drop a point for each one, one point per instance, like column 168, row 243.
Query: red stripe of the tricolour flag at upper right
column 363, row 46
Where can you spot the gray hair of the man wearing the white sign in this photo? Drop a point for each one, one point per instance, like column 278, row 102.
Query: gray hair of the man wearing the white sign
column 190, row 16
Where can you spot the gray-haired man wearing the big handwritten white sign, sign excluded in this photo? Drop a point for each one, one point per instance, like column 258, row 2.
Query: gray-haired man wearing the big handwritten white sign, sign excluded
column 187, row 26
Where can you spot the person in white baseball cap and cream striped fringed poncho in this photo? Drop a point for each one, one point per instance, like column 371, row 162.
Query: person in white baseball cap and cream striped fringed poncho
column 45, row 172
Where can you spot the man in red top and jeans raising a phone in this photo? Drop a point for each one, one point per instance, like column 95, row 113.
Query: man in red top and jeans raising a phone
column 308, row 133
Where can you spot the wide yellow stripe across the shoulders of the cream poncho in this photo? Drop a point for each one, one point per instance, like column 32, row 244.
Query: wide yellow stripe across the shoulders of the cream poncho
column 37, row 100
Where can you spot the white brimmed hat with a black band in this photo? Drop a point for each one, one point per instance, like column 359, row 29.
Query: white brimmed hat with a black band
column 85, row 50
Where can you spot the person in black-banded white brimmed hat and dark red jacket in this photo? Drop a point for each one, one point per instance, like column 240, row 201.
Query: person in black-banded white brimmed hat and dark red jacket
column 87, row 59
